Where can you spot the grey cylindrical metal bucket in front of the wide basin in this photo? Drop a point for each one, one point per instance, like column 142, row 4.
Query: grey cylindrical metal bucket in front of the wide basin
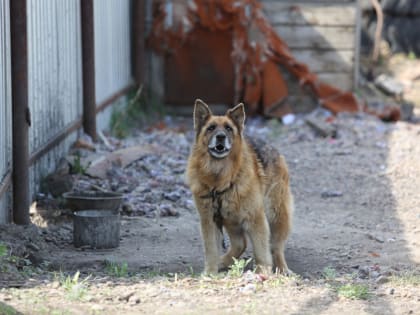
column 98, row 229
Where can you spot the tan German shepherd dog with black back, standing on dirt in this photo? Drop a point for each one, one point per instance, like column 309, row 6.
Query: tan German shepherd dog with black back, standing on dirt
column 240, row 186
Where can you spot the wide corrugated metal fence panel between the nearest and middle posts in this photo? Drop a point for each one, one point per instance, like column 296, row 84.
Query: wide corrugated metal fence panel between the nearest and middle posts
column 55, row 78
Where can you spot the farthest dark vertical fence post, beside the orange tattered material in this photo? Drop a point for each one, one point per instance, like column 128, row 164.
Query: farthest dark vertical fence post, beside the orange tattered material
column 138, row 12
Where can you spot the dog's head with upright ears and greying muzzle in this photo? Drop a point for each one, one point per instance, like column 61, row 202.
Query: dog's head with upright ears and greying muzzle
column 218, row 133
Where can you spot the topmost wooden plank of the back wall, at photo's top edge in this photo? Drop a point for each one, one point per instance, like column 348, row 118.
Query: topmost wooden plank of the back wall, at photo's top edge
column 298, row 13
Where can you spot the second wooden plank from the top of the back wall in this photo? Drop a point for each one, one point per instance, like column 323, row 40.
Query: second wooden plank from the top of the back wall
column 317, row 37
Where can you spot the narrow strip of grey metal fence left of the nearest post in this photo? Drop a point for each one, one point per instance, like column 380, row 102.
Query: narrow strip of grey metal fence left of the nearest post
column 5, row 111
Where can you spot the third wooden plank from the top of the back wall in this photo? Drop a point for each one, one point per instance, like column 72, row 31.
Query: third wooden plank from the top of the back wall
column 326, row 60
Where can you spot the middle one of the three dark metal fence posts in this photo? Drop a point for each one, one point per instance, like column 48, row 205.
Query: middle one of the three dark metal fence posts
column 88, row 56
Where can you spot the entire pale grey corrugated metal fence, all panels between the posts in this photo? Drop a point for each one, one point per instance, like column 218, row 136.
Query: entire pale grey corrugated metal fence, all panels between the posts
column 55, row 78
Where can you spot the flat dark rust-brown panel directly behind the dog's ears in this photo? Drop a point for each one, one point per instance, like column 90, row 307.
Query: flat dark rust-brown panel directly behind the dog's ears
column 191, row 70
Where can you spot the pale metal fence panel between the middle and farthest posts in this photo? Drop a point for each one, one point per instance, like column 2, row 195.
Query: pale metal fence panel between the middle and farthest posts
column 112, row 47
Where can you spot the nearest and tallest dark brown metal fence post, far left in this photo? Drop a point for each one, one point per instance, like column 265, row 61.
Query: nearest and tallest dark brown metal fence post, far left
column 20, row 112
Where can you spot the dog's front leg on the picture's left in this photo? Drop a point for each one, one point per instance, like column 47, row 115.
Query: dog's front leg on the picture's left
column 211, row 239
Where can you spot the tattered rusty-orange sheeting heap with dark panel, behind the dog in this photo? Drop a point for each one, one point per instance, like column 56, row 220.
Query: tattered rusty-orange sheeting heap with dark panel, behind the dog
column 222, row 44
